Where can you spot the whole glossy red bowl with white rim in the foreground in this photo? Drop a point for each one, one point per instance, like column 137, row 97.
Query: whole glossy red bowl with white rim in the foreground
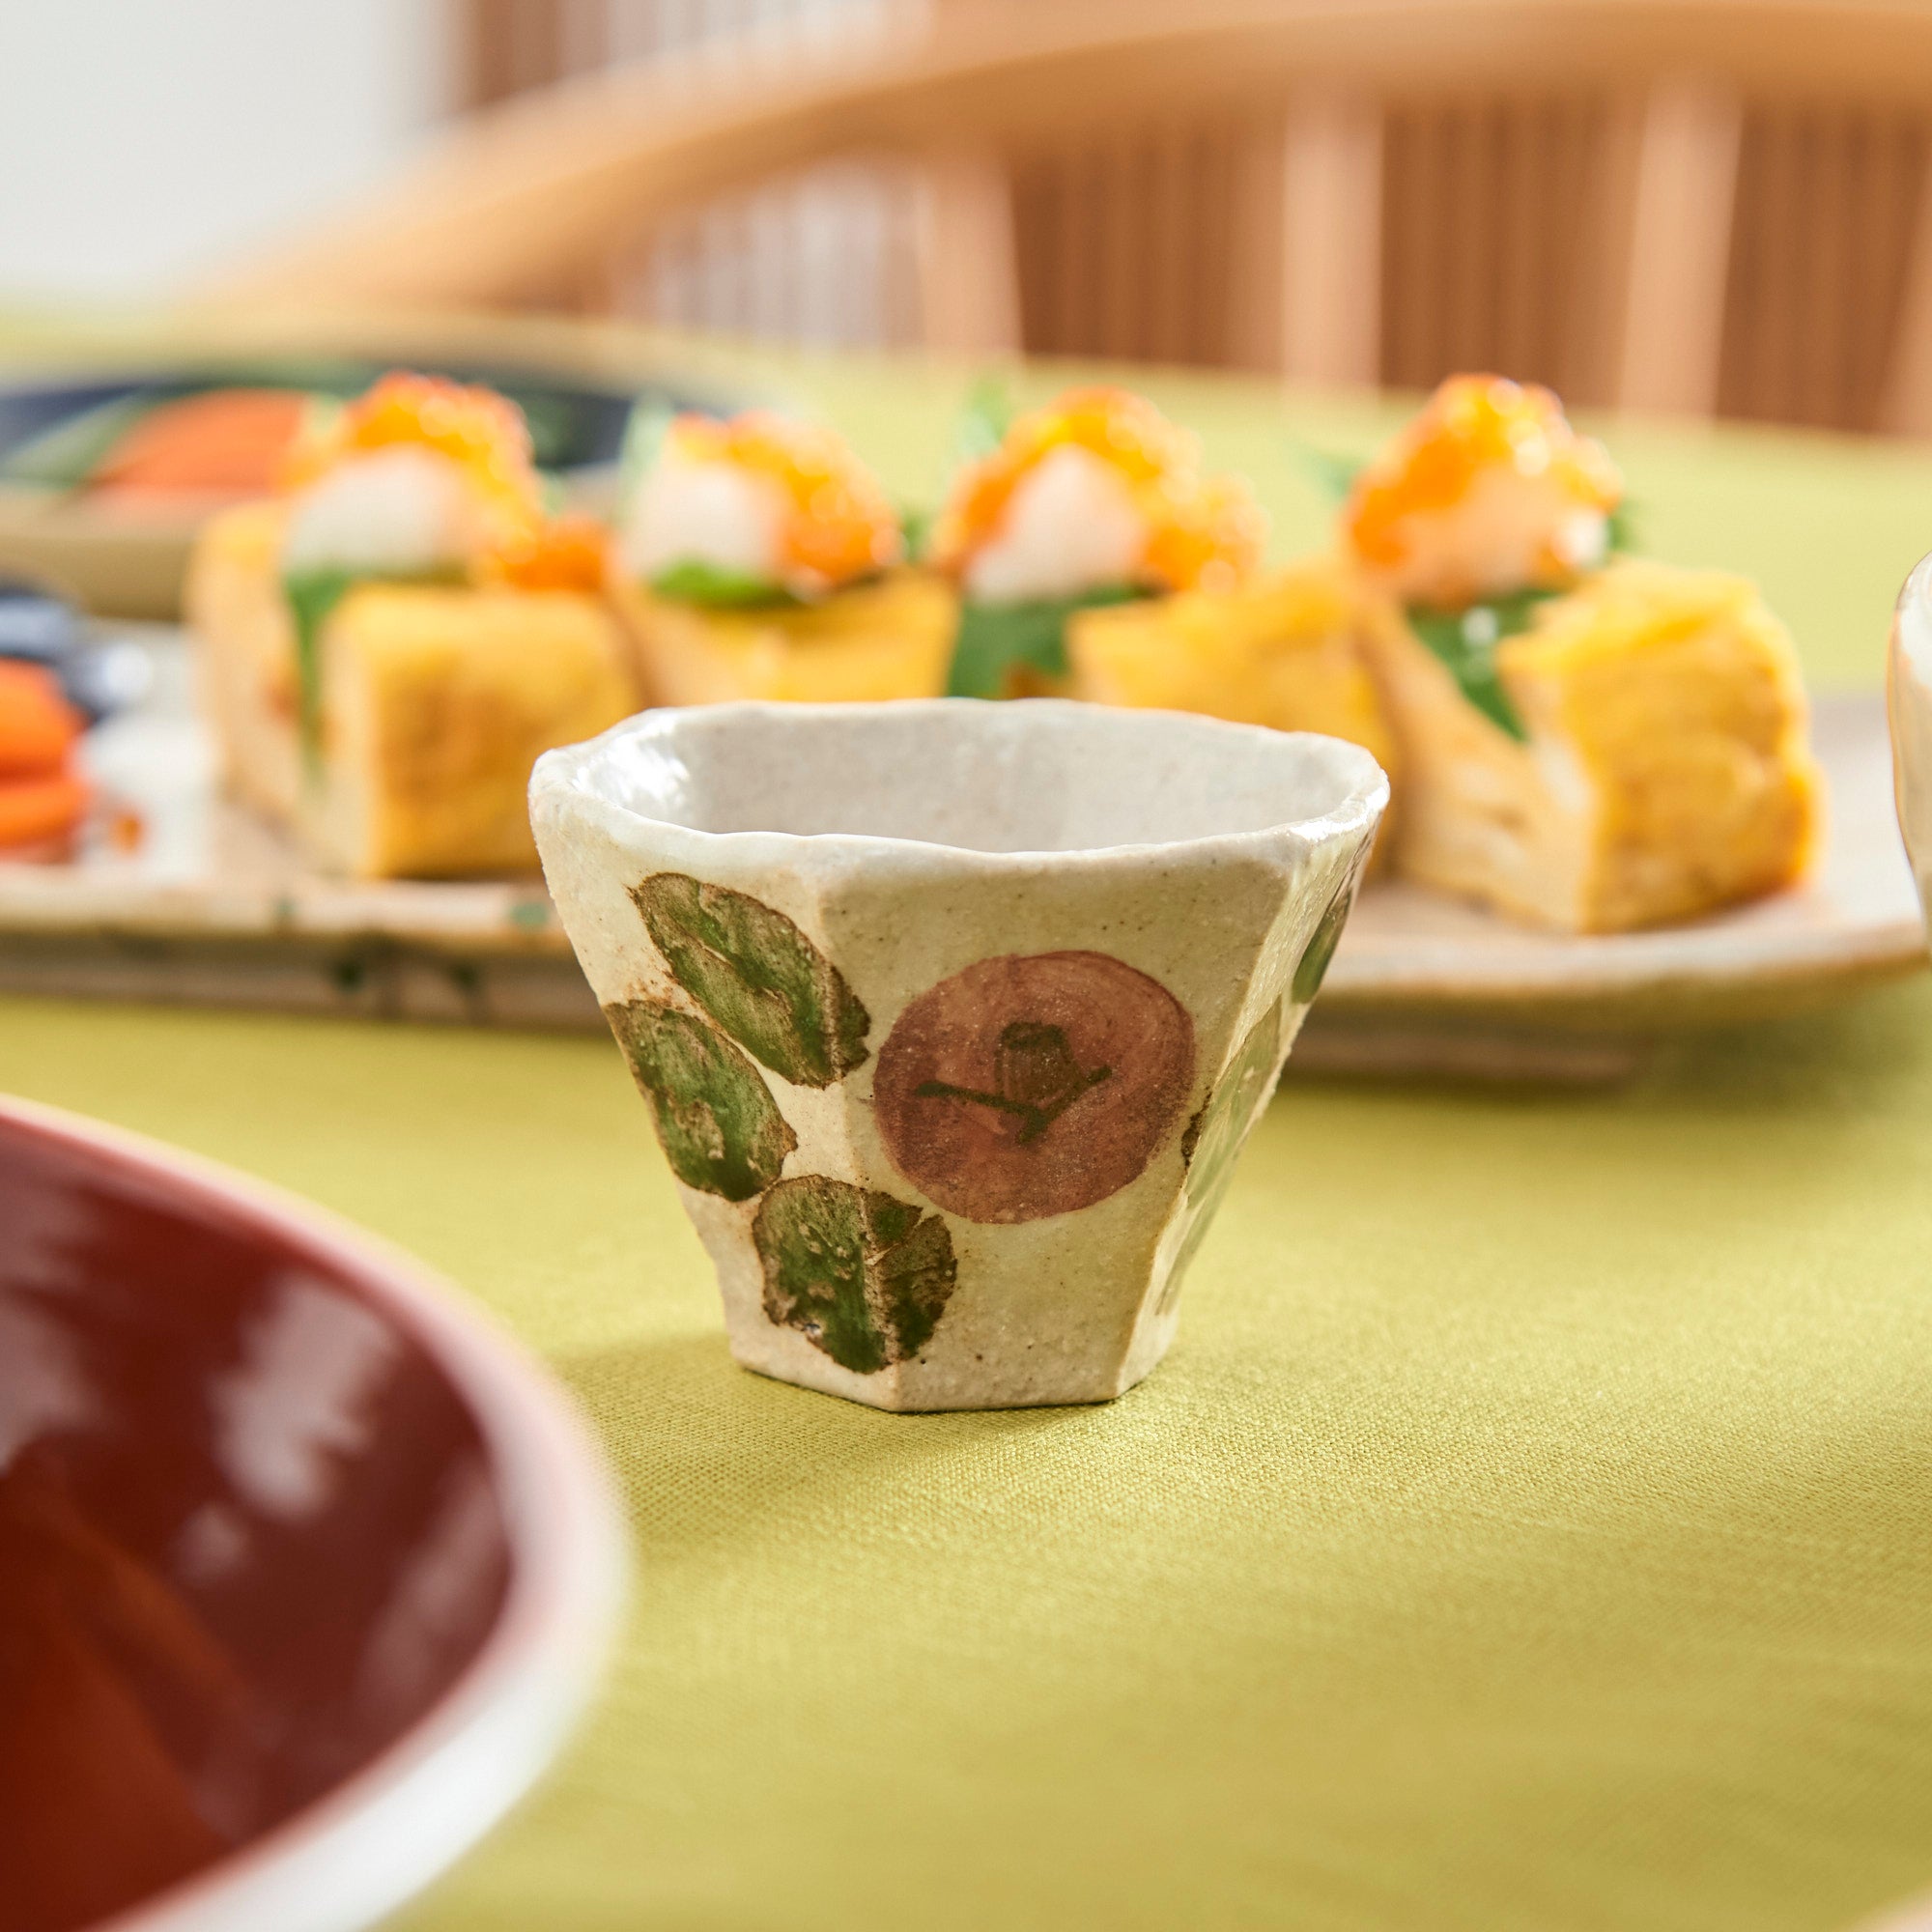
column 302, row 1570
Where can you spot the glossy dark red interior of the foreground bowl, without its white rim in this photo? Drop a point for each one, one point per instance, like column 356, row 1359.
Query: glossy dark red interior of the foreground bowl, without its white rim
column 250, row 1531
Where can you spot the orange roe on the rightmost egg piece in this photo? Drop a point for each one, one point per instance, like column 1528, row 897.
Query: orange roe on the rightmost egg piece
column 1471, row 426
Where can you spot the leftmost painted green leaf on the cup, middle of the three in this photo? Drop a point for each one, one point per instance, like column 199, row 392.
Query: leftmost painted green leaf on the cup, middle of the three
column 716, row 1118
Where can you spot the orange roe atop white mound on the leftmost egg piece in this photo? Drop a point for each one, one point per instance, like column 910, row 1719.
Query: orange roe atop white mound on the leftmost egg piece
column 476, row 430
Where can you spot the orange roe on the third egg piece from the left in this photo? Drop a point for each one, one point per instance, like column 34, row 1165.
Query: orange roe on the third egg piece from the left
column 1201, row 532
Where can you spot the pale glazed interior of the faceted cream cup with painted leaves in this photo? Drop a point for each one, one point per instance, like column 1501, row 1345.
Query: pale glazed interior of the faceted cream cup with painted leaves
column 1042, row 776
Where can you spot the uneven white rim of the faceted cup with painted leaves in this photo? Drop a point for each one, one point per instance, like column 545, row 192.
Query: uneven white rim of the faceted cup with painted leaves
column 567, row 778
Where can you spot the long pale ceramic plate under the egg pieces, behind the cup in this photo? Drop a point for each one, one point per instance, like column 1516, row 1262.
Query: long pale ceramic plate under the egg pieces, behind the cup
column 219, row 909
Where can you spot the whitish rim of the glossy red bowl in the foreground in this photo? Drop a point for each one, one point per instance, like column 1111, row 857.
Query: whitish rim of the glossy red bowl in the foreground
column 391, row 1827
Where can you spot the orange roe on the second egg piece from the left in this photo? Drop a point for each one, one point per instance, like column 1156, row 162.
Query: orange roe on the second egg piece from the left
column 839, row 523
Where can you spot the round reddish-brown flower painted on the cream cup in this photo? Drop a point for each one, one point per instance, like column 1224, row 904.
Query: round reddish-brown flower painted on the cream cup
column 1033, row 1085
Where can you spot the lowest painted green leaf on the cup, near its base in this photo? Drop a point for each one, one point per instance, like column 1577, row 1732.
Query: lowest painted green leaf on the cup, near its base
column 863, row 1276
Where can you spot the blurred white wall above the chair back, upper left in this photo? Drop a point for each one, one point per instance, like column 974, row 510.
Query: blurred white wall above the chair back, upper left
column 146, row 140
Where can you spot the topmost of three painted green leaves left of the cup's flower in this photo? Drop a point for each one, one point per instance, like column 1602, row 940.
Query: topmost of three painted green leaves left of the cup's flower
column 758, row 977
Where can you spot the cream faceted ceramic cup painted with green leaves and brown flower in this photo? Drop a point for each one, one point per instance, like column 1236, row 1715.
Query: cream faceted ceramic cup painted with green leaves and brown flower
column 953, row 1015
